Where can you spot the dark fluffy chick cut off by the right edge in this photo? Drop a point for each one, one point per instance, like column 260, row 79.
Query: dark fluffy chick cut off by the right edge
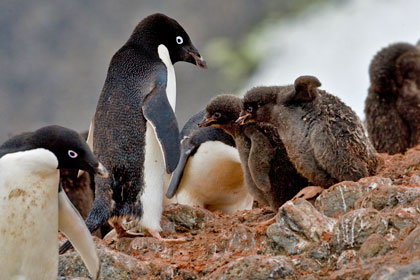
column 392, row 106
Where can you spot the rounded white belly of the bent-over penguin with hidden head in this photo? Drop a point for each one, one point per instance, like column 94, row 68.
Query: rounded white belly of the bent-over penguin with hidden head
column 213, row 179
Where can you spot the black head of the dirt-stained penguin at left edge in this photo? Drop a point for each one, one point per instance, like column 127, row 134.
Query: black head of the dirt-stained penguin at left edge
column 68, row 146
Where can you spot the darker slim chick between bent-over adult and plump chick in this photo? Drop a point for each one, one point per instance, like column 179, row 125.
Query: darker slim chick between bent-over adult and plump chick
column 270, row 176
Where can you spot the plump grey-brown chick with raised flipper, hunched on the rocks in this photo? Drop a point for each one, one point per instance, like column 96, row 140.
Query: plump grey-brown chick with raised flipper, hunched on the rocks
column 323, row 137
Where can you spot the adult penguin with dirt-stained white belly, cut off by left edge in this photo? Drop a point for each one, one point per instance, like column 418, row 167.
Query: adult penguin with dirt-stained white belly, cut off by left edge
column 34, row 207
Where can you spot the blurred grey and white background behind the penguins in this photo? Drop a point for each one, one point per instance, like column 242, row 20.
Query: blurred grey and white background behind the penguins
column 54, row 55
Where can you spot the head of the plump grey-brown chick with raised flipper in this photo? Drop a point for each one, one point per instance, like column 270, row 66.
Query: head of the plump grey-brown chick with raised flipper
column 257, row 105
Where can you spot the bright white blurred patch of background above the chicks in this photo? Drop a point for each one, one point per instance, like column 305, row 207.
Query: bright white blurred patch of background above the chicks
column 336, row 44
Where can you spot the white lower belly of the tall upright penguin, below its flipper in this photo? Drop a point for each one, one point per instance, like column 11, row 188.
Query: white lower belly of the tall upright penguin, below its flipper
column 154, row 170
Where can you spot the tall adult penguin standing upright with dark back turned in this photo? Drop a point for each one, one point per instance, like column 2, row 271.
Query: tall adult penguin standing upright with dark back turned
column 134, row 131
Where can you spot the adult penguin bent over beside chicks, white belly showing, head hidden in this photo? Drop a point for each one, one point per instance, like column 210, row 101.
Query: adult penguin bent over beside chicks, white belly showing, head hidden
column 209, row 173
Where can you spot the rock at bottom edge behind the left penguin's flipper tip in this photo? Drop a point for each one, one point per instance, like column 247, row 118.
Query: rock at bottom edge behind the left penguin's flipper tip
column 115, row 265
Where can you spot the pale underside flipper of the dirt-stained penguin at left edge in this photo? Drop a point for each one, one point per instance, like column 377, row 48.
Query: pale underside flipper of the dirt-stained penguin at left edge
column 72, row 225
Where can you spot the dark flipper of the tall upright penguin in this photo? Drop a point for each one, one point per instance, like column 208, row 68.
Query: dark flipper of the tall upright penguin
column 159, row 113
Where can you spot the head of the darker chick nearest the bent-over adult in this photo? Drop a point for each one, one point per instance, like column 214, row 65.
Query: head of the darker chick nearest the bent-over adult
column 222, row 112
